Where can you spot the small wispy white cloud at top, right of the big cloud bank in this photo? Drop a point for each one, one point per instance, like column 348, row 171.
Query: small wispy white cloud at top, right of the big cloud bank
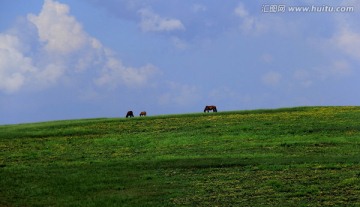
column 152, row 22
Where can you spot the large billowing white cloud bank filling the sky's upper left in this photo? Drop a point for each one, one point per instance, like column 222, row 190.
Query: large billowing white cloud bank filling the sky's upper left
column 62, row 49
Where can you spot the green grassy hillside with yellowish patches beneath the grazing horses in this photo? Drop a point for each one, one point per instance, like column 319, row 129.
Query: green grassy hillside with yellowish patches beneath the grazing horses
column 306, row 156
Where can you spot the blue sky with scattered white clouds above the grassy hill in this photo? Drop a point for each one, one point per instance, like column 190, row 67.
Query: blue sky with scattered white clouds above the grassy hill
column 66, row 59
